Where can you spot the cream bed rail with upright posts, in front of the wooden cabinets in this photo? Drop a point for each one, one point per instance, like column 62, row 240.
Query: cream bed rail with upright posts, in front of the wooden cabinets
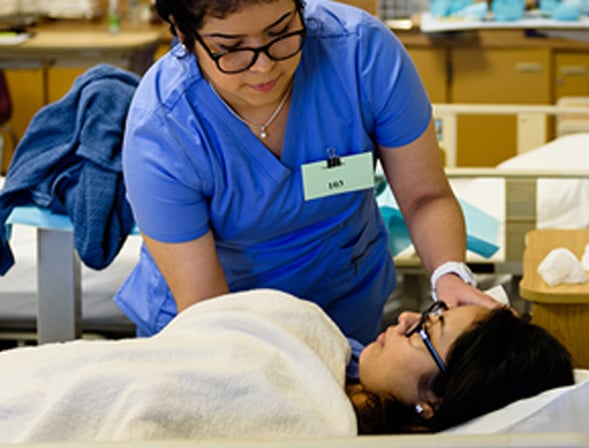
column 531, row 122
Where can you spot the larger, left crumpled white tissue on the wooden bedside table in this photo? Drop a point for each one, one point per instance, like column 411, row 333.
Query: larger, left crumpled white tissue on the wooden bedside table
column 561, row 266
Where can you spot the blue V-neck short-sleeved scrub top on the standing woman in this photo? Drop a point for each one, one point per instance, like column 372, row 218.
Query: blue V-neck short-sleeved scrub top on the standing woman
column 190, row 165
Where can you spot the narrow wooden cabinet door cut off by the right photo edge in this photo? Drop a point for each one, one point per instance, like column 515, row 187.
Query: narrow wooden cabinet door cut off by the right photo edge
column 571, row 71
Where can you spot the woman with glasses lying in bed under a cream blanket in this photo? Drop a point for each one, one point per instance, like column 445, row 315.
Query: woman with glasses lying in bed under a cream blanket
column 264, row 364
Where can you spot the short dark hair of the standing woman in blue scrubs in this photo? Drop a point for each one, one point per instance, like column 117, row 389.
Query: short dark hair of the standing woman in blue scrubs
column 189, row 15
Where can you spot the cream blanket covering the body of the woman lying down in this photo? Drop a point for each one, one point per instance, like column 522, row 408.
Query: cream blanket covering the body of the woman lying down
column 259, row 364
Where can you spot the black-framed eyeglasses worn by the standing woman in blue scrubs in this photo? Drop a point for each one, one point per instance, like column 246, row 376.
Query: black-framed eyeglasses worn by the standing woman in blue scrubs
column 241, row 59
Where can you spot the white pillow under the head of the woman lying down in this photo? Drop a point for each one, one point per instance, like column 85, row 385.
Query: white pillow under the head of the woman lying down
column 564, row 409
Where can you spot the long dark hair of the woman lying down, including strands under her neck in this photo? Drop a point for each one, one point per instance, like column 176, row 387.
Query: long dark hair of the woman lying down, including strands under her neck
column 498, row 360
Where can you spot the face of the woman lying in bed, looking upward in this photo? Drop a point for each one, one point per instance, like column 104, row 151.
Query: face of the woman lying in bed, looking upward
column 397, row 366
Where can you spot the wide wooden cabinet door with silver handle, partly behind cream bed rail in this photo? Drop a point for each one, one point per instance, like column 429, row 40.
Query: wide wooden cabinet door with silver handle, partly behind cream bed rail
column 495, row 76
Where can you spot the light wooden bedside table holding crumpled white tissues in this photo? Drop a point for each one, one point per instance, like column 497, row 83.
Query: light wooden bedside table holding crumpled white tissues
column 562, row 309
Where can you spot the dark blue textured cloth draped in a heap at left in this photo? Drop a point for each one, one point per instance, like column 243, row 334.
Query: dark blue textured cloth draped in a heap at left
column 69, row 161
